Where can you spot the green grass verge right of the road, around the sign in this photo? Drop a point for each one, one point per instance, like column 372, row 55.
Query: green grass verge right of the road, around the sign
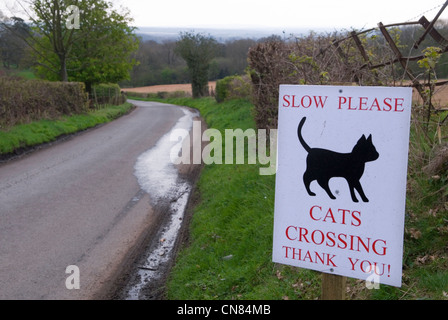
column 229, row 252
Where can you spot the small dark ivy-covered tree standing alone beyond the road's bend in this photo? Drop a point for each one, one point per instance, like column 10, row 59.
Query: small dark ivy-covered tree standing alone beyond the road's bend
column 198, row 51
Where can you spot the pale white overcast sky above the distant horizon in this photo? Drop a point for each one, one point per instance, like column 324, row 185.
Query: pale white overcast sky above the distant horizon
column 281, row 14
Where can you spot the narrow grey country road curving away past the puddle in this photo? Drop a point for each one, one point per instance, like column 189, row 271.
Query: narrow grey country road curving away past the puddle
column 78, row 203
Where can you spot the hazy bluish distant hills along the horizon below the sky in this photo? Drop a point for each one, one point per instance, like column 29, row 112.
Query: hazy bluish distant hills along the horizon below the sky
column 160, row 34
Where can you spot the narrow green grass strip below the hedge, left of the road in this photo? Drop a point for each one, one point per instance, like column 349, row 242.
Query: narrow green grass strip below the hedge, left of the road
column 38, row 132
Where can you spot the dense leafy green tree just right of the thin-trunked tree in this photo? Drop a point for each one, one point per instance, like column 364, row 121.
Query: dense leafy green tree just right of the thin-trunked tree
column 103, row 52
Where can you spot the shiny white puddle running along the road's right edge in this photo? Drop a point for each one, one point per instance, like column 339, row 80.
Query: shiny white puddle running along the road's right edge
column 158, row 176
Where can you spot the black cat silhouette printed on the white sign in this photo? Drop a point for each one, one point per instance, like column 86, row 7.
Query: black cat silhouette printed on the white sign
column 322, row 165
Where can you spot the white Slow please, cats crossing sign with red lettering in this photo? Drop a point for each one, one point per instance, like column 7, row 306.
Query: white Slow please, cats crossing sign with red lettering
column 341, row 180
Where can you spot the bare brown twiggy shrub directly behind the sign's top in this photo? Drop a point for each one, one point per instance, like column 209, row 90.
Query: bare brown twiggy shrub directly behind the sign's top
column 315, row 59
